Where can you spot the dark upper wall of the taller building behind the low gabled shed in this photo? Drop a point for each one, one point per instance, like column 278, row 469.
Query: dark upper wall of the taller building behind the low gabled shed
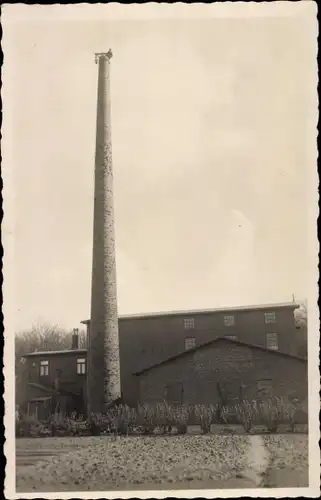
column 149, row 340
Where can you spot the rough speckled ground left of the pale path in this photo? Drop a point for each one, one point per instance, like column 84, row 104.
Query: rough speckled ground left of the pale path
column 103, row 463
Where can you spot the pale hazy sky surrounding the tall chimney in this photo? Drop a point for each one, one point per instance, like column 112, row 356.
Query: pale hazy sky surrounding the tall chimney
column 210, row 158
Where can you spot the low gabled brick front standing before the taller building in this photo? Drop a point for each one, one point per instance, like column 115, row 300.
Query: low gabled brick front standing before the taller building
column 230, row 365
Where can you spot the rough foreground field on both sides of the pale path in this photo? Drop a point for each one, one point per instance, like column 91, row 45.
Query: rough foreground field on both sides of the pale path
column 158, row 462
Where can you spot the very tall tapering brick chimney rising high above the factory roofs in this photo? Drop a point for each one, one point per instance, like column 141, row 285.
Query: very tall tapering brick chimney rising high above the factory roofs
column 103, row 356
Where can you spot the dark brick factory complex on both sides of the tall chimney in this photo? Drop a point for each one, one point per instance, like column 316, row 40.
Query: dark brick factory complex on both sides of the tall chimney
column 255, row 345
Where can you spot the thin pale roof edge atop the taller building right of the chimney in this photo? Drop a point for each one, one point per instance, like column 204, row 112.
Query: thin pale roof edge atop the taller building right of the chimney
column 279, row 305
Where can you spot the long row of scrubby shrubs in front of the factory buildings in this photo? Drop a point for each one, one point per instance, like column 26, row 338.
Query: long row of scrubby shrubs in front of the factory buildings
column 164, row 418
